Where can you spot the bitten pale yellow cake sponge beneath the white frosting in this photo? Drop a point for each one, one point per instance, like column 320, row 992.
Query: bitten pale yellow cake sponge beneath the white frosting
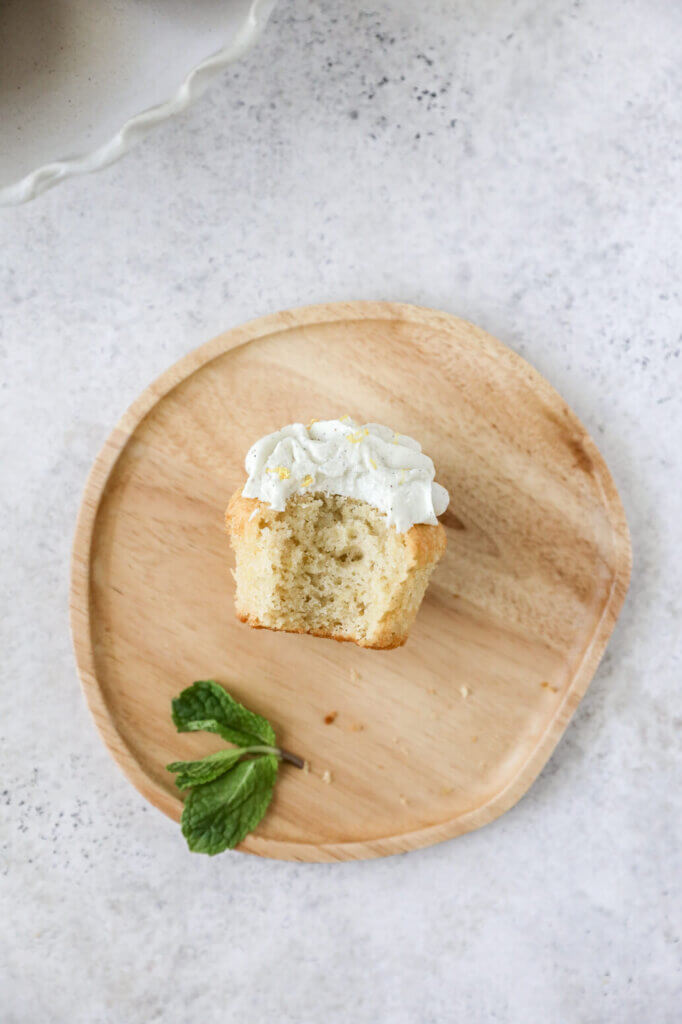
column 330, row 566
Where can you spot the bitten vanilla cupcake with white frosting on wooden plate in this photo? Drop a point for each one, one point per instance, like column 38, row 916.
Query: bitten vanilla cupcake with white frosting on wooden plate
column 335, row 532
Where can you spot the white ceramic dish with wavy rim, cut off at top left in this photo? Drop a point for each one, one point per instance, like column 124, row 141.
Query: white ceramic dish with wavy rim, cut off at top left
column 82, row 80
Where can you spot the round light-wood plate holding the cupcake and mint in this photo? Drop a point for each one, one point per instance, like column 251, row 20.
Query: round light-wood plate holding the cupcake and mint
column 431, row 741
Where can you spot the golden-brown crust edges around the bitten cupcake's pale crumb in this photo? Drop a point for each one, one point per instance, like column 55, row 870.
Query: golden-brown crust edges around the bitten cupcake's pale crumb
column 425, row 545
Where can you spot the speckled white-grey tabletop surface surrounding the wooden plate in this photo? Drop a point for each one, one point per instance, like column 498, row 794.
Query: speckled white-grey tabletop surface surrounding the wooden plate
column 519, row 163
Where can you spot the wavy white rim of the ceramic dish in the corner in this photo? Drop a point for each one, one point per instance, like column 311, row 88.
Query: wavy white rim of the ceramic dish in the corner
column 138, row 127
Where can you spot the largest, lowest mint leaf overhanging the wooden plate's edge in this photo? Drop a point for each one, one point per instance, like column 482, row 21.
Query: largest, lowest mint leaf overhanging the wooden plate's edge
column 218, row 816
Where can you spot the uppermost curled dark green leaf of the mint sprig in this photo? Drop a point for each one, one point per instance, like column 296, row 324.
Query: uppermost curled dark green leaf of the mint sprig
column 205, row 706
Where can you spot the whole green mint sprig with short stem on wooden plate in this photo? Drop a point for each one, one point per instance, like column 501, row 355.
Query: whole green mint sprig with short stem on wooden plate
column 230, row 791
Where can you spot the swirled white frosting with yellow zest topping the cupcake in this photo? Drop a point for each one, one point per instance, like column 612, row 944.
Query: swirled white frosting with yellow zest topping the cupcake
column 339, row 457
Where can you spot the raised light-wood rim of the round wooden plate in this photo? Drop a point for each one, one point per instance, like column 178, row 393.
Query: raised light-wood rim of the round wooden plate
column 79, row 604
